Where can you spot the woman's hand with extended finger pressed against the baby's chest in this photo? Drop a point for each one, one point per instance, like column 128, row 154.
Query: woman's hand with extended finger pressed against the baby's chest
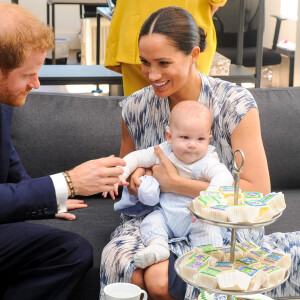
column 165, row 173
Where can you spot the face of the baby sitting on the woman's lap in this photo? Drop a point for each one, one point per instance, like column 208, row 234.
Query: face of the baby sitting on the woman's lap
column 190, row 139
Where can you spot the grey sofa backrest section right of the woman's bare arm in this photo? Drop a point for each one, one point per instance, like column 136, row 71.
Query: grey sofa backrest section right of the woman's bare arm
column 279, row 110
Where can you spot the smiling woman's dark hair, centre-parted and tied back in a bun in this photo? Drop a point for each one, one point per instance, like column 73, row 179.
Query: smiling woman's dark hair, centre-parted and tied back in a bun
column 178, row 25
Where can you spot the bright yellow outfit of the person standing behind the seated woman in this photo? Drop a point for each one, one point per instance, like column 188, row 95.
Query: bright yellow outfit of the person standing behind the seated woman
column 122, row 54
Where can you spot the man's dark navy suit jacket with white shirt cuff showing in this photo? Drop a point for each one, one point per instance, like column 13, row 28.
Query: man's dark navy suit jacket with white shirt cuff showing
column 21, row 197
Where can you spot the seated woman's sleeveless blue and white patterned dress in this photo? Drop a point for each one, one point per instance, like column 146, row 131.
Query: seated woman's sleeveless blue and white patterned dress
column 146, row 117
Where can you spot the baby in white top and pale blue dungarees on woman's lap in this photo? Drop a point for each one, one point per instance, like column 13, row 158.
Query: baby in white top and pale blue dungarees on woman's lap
column 187, row 146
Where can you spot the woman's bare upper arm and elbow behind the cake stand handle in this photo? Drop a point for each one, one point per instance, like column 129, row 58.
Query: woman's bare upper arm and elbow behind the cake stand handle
column 247, row 137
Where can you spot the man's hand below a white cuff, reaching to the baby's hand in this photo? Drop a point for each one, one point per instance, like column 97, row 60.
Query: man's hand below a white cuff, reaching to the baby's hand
column 96, row 176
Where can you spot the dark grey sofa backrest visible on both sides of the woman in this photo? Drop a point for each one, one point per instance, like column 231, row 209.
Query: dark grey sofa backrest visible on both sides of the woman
column 55, row 132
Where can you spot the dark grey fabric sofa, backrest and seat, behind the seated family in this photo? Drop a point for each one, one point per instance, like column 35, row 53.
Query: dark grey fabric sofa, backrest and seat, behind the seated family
column 55, row 132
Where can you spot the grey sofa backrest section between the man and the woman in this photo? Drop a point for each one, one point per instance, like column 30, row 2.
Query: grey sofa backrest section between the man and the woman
column 56, row 132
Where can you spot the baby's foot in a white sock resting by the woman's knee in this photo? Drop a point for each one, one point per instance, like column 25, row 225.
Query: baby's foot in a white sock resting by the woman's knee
column 157, row 251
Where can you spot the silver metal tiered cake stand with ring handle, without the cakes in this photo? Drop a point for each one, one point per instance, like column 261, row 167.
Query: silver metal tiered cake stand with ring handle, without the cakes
column 234, row 226
